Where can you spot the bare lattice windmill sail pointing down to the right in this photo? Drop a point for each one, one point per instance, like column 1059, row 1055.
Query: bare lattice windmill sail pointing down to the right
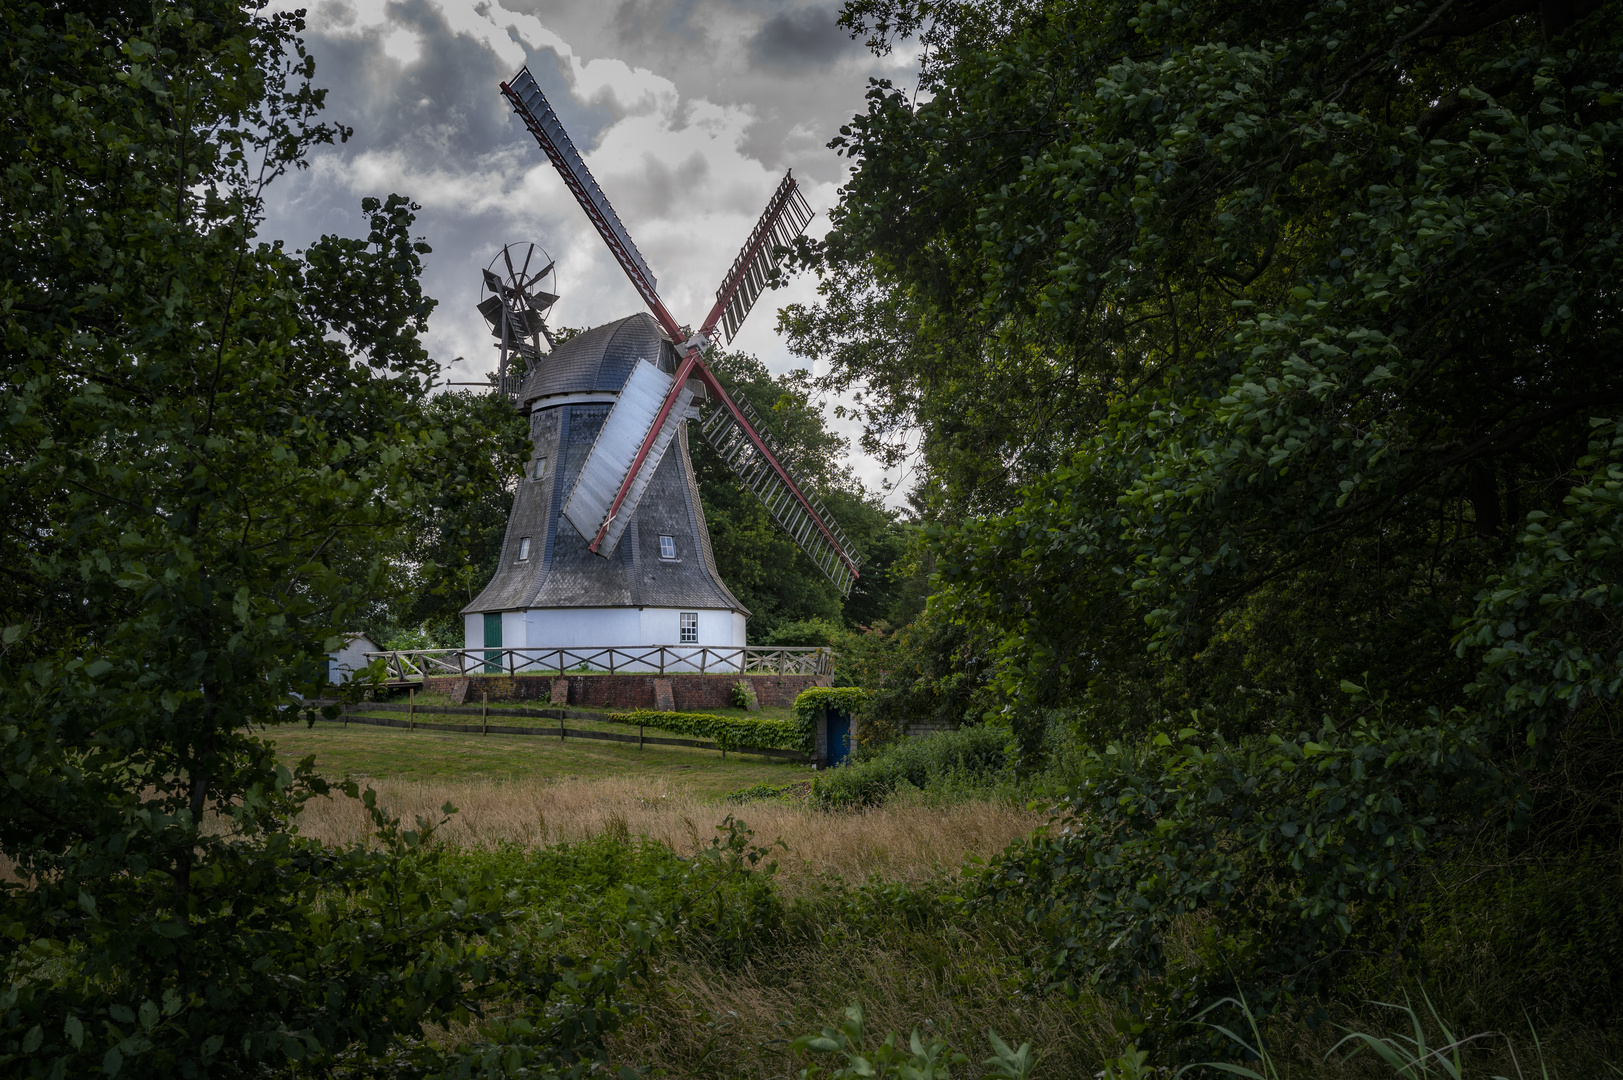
column 759, row 469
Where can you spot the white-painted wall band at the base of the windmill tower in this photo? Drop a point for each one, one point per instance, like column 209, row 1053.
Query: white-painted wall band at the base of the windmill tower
column 603, row 628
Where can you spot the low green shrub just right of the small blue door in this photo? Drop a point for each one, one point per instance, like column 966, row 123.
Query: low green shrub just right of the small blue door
column 970, row 758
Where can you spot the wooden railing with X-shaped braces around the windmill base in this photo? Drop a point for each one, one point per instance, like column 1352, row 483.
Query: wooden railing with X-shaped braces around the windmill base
column 420, row 663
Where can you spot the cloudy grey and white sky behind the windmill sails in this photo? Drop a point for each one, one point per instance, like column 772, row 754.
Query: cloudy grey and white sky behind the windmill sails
column 689, row 113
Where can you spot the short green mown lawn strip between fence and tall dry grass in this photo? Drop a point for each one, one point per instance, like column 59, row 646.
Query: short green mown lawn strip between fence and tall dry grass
column 424, row 754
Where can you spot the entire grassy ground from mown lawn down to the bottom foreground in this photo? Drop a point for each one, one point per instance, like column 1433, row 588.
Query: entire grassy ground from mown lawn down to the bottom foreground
column 863, row 905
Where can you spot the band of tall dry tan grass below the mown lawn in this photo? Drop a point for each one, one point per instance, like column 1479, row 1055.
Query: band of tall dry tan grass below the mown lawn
column 903, row 840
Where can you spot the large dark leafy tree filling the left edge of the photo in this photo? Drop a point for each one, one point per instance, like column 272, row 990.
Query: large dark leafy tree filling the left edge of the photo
column 209, row 447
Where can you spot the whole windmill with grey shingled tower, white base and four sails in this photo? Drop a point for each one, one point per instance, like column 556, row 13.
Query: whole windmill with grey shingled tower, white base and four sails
column 608, row 545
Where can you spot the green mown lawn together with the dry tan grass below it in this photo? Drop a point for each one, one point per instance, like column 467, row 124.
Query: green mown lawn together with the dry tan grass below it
column 533, row 790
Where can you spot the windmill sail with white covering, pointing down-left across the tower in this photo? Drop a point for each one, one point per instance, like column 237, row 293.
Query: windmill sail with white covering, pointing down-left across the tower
column 614, row 456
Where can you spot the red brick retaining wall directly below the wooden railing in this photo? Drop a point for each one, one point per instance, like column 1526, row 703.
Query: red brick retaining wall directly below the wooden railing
column 692, row 693
